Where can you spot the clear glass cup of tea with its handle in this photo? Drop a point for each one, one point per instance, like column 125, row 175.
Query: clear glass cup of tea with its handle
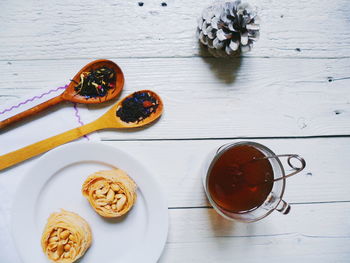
column 245, row 181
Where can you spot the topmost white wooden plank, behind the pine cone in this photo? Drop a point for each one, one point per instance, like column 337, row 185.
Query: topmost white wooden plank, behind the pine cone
column 66, row 29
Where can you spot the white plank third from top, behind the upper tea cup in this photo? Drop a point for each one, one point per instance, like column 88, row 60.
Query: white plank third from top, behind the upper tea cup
column 177, row 165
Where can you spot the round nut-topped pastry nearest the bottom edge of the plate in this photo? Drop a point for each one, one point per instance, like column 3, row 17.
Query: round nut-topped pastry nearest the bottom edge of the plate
column 66, row 237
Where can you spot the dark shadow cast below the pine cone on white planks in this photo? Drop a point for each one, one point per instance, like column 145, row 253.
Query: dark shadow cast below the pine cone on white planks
column 225, row 69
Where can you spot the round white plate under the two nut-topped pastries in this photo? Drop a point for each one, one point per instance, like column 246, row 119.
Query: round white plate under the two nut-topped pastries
column 55, row 182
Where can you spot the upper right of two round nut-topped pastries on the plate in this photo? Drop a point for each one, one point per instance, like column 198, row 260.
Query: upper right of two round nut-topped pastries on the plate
column 111, row 193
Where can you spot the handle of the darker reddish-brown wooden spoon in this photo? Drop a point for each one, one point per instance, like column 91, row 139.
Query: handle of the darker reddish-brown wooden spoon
column 30, row 112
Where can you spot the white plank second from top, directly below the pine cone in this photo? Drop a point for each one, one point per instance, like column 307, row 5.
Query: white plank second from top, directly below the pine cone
column 210, row 98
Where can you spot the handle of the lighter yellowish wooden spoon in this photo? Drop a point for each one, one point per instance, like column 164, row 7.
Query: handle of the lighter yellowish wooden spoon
column 35, row 149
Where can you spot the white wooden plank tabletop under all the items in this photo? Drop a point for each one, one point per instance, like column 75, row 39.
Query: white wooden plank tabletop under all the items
column 291, row 93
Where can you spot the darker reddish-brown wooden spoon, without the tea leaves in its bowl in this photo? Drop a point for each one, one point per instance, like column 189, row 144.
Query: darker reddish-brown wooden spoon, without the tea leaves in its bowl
column 71, row 95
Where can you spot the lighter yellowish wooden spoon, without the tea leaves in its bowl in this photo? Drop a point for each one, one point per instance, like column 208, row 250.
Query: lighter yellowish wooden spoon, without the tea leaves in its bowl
column 106, row 121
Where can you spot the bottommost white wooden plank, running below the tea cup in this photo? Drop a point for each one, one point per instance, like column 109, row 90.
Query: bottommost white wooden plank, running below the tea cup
column 310, row 233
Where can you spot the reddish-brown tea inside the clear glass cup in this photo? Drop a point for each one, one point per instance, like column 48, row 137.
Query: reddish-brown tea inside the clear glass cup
column 241, row 179
